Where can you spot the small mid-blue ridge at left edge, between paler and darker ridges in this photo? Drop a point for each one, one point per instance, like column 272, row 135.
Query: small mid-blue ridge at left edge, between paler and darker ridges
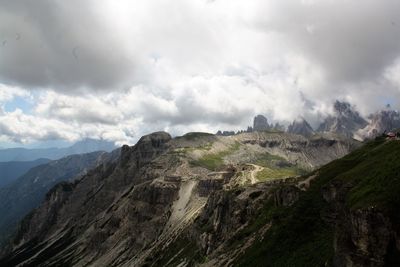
column 9, row 171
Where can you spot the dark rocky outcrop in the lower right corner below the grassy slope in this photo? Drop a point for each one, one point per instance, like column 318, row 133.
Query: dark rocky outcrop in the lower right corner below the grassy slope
column 364, row 236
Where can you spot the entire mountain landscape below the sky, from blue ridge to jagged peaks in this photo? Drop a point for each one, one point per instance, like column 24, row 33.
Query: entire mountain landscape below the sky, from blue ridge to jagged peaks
column 261, row 197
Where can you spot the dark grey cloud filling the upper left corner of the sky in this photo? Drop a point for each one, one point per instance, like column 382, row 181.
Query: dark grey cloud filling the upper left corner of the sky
column 59, row 44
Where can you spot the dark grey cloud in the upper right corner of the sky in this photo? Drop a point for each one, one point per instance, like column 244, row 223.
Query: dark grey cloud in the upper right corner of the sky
column 351, row 40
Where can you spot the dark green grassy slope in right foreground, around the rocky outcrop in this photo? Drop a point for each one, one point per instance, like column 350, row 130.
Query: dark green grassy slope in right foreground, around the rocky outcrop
column 299, row 236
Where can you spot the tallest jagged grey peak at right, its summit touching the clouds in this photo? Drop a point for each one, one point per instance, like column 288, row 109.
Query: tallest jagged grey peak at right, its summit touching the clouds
column 346, row 120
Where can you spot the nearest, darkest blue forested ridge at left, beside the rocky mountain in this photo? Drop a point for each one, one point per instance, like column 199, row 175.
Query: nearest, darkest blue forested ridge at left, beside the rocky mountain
column 24, row 194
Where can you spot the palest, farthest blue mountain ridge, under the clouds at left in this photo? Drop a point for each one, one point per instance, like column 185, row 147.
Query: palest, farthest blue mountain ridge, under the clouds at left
column 84, row 146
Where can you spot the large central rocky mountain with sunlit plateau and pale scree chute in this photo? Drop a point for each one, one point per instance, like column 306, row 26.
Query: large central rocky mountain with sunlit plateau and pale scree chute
column 169, row 201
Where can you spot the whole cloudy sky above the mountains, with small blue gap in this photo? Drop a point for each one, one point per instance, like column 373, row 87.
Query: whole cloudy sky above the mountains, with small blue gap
column 117, row 70
